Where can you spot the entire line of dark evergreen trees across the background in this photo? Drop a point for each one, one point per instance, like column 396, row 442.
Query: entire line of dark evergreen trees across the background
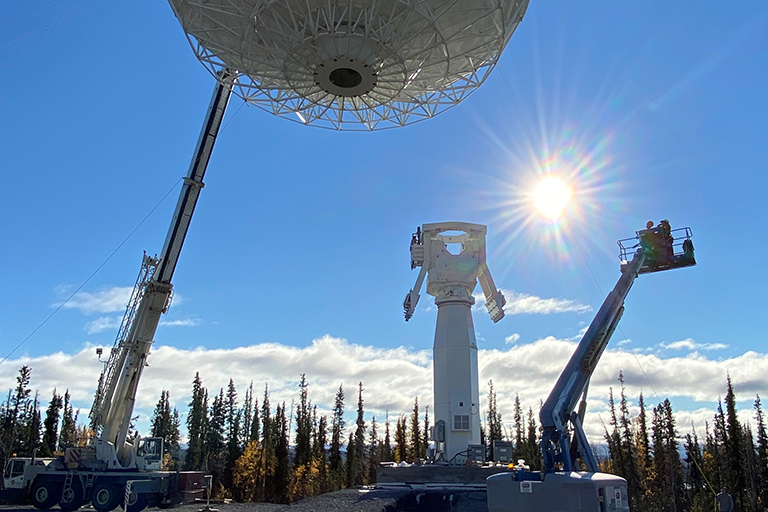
column 246, row 445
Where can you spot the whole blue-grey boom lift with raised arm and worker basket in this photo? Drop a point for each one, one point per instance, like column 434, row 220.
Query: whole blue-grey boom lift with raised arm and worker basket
column 563, row 486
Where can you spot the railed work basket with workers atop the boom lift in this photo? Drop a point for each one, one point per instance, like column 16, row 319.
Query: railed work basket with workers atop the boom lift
column 664, row 249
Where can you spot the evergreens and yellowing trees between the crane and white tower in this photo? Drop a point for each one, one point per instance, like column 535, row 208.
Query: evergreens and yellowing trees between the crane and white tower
column 245, row 446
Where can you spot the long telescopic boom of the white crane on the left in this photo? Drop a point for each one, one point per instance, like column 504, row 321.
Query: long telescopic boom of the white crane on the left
column 115, row 399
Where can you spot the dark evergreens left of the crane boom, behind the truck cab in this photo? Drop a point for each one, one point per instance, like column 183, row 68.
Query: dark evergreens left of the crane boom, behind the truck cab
column 23, row 430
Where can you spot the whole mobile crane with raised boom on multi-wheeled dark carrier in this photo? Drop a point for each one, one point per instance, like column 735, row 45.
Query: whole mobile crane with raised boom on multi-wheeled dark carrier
column 114, row 465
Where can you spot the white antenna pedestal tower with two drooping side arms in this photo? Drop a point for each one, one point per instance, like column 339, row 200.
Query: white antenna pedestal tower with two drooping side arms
column 451, row 279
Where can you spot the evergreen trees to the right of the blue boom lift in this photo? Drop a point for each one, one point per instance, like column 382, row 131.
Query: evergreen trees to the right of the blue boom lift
column 662, row 477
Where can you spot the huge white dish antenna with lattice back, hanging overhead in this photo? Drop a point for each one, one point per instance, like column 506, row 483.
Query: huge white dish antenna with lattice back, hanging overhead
column 351, row 64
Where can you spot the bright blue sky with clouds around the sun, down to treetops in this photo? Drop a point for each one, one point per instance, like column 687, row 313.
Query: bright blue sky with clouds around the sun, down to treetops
column 648, row 111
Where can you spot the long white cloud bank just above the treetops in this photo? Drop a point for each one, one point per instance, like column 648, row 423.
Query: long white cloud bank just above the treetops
column 392, row 377
